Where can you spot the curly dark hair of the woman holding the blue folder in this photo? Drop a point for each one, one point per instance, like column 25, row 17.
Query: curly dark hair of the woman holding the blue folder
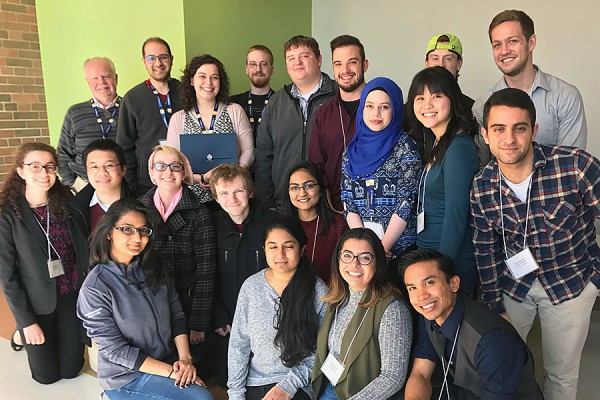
column 188, row 93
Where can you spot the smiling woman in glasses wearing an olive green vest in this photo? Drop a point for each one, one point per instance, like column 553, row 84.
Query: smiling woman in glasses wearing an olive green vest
column 363, row 346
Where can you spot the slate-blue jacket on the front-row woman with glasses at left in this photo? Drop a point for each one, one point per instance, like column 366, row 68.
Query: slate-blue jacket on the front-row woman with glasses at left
column 128, row 320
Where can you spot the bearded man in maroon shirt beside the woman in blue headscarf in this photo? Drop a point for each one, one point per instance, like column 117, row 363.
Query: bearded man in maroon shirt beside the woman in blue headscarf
column 335, row 122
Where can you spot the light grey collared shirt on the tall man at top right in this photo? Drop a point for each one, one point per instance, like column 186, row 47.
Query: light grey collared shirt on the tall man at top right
column 559, row 110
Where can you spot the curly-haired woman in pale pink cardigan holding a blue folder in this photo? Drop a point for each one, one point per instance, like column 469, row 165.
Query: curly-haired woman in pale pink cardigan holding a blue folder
column 207, row 109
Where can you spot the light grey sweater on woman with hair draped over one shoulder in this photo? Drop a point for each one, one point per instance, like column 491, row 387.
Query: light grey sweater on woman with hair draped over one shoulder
column 253, row 359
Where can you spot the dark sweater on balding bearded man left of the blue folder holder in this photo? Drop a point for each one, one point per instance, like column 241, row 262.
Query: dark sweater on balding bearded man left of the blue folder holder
column 141, row 127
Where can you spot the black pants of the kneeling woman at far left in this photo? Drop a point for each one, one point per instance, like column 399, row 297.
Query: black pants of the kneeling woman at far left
column 61, row 355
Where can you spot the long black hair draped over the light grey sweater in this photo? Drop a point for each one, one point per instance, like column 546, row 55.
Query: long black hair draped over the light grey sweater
column 297, row 320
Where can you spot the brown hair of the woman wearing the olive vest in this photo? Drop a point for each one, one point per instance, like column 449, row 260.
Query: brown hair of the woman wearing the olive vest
column 377, row 289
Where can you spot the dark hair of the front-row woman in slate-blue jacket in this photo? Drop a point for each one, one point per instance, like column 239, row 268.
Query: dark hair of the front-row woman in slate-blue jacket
column 101, row 245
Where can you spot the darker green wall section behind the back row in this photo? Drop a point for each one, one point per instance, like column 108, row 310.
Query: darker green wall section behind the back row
column 227, row 28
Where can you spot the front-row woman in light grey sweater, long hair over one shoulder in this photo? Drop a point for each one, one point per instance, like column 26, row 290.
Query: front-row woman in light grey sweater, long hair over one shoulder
column 278, row 313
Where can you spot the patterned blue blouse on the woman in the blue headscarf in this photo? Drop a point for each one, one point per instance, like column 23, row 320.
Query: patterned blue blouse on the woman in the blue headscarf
column 394, row 191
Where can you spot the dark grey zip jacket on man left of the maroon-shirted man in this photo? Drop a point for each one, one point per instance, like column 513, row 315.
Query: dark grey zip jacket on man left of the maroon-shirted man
column 283, row 139
